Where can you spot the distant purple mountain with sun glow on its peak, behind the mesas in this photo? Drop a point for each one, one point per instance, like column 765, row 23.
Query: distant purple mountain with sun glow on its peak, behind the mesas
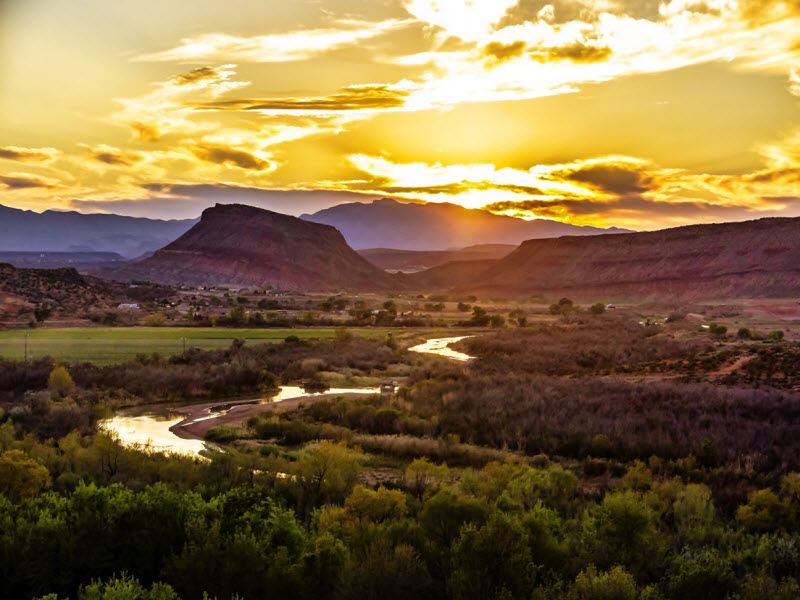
column 387, row 223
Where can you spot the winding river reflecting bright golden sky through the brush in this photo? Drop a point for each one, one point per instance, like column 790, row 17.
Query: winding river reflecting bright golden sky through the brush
column 150, row 427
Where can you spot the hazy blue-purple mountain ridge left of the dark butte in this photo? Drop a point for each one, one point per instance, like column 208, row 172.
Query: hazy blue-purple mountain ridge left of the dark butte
column 54, row 231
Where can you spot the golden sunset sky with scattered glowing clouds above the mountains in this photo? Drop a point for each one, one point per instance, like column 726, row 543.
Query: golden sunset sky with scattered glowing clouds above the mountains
column 630, row 113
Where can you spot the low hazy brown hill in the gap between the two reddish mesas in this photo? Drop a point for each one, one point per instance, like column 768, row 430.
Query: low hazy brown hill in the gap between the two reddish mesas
column 411, row 261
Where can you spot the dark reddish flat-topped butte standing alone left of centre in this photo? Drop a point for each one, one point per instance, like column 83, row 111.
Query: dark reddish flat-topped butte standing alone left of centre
column 242, row 245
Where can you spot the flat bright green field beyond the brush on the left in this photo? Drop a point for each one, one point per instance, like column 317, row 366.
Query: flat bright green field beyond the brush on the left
column 114, row 345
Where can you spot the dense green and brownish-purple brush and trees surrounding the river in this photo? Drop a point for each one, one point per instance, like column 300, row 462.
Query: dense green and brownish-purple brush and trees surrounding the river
column 595, row 458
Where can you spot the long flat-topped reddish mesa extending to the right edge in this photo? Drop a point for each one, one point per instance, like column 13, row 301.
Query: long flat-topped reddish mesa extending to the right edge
column 750, row 259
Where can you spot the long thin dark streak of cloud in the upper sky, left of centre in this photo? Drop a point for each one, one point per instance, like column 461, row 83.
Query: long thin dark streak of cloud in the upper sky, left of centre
column 351, row 98
